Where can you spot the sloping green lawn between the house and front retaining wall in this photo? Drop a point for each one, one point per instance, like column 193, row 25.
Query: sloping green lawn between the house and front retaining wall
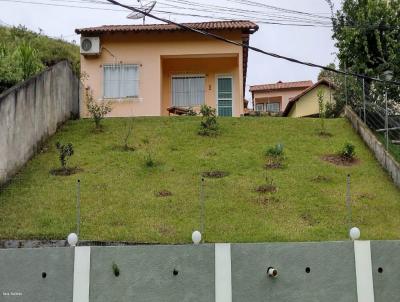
column 119, row 193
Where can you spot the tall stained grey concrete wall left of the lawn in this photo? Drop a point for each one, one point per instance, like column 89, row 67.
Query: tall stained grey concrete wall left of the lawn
column 30, row 113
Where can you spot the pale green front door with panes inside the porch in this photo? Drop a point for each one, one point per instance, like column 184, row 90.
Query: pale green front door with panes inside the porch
column 224, row 95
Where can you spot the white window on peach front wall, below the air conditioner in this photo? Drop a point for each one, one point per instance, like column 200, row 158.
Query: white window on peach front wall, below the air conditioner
column 121, row 81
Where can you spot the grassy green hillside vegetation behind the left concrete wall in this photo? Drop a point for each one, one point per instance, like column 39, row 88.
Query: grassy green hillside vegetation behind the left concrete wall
column 24, row 53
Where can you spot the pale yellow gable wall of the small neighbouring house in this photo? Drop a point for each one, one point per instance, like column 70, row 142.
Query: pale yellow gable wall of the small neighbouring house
column 308, row 105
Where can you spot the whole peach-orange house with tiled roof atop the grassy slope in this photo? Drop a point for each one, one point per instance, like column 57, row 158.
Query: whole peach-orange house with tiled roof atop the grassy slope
column 144, row 70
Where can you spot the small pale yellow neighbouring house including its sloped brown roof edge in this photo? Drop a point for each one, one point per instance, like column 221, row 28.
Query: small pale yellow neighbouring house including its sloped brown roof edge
column 306, row 104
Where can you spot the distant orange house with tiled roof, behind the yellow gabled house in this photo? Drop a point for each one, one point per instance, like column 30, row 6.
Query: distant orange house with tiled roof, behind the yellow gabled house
column 275, row 97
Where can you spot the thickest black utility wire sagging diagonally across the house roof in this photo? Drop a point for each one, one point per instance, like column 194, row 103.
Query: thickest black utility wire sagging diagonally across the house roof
column 220, row 38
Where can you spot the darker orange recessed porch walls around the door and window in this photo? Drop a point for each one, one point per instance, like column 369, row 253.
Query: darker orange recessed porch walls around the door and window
column 211, row 68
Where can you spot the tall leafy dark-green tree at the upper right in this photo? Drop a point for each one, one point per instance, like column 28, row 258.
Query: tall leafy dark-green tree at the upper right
column 367, row 36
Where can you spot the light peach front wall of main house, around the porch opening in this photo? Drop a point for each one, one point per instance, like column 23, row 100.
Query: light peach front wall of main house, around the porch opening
column 148, row 50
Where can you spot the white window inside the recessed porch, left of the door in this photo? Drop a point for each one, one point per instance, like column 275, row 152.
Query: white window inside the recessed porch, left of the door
column 188, row 91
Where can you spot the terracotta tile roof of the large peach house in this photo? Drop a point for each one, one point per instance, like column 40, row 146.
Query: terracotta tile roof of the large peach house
column 243, row 25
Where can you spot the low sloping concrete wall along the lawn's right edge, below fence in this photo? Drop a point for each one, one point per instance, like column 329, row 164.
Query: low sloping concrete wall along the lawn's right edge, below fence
column 385, row 159
